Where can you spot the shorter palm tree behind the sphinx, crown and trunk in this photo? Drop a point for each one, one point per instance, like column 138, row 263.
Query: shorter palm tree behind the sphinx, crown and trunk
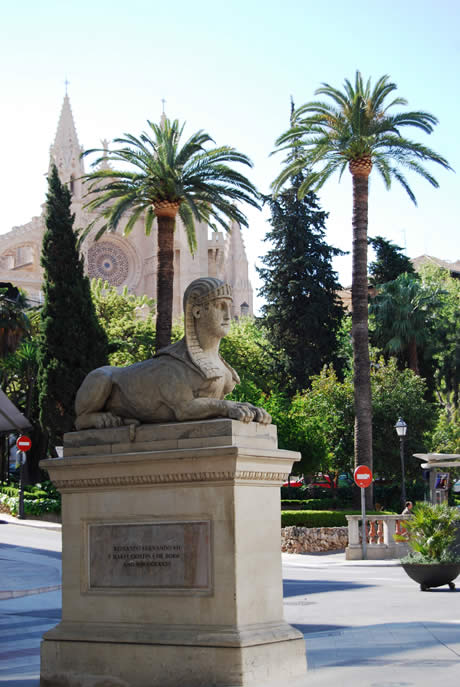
column 166, row 180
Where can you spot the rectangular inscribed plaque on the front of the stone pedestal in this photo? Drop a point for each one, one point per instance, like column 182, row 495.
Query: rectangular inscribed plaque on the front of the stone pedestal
column 167, row 555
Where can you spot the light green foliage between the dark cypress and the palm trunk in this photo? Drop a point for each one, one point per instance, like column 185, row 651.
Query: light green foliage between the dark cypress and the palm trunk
column 127, row 320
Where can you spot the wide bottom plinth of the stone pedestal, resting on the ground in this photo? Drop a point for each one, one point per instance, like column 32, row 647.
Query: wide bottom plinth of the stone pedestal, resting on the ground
column 101, row 664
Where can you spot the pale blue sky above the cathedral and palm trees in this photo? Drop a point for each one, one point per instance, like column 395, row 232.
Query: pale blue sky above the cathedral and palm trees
column 230, row 68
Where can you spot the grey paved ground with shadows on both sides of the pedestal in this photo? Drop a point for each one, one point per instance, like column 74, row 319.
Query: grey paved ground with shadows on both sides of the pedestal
column 366, row 624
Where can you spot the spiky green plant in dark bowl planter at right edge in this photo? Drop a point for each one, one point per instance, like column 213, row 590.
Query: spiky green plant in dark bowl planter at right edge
column 431, row 533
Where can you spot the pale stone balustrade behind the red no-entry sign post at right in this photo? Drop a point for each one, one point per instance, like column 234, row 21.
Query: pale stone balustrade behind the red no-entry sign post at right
column 379, row 536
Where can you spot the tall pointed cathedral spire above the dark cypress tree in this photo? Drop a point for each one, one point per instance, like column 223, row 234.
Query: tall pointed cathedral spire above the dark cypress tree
column 65, row 151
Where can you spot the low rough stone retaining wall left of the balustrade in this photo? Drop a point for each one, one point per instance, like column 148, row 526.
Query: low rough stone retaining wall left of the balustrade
column 313, row 539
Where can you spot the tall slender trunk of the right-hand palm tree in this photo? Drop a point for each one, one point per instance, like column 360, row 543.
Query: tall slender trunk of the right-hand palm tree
column 360, row 331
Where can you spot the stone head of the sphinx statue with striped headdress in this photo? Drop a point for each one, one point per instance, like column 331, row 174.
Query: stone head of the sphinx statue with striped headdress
column 207, row 317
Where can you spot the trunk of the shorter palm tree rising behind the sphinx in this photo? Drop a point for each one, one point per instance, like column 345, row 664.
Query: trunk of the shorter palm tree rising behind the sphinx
column 165, row 280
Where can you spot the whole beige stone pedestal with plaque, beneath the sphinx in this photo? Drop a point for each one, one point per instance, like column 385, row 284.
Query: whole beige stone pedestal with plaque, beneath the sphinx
column 171, row 559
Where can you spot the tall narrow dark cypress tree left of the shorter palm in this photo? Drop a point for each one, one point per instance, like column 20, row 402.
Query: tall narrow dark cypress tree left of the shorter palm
column 72, row 342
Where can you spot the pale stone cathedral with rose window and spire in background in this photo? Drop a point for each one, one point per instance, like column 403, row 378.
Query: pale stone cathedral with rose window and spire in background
column 123, row 260
